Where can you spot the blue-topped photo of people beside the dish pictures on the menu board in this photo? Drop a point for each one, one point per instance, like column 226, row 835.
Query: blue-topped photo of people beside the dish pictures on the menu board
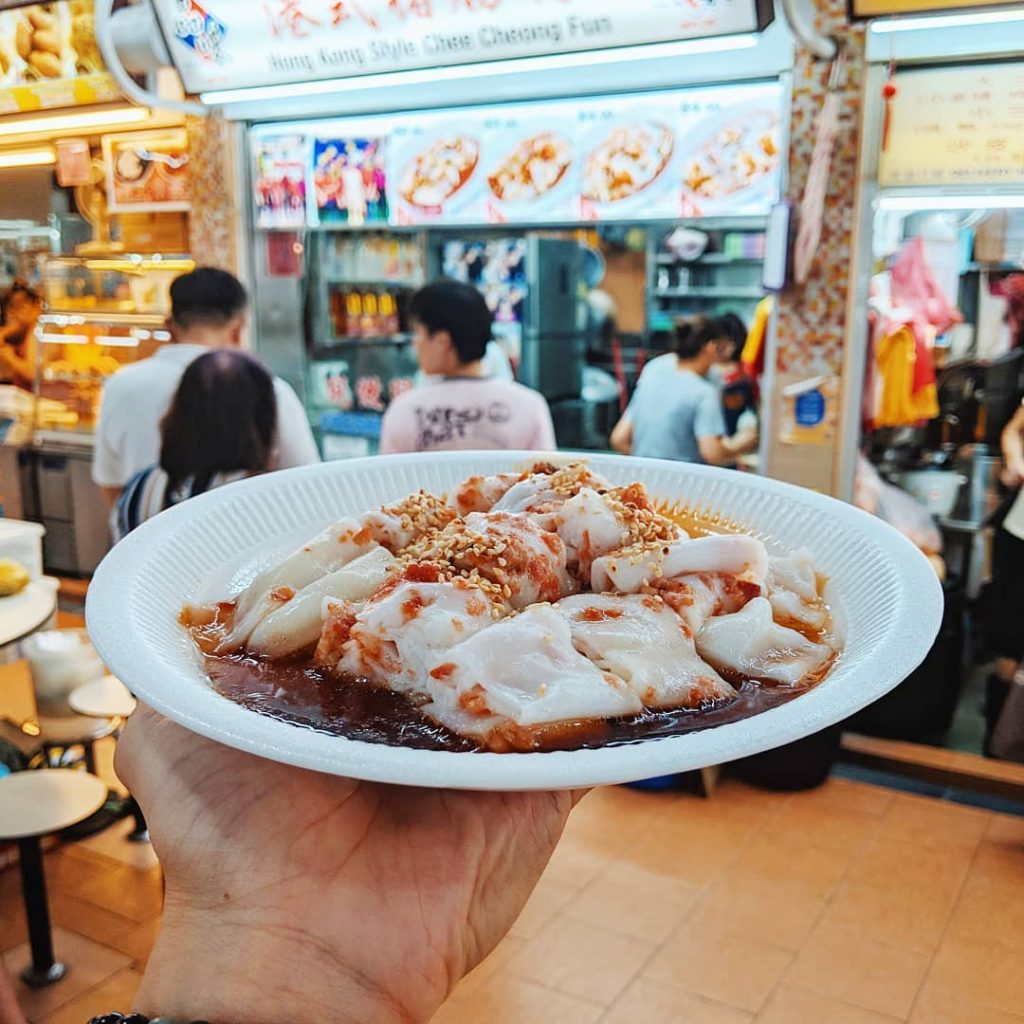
column 350, row 181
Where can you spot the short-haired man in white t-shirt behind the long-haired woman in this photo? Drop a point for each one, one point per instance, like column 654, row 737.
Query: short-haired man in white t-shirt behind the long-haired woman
column 208, row 311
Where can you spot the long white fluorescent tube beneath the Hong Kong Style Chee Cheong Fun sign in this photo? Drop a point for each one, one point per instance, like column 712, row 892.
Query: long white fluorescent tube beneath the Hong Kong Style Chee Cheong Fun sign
column 430, row 76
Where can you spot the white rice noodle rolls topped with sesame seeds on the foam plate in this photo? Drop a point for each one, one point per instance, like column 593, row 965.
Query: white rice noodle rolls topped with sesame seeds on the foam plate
column 521, row 610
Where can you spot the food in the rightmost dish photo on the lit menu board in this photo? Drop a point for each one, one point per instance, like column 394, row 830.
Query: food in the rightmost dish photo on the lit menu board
column 738, row 156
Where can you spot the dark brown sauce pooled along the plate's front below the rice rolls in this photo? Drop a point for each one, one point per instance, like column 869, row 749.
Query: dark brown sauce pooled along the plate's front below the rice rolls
column 296, row 692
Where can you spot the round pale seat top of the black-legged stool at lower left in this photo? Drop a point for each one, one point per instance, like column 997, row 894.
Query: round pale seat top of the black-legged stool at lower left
column 36, row 803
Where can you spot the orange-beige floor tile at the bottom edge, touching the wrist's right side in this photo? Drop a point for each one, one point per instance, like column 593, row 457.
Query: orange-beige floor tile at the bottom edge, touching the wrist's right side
column 517, row 1001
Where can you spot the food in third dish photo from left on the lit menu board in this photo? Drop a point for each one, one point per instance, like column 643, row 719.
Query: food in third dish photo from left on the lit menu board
column 628, row 161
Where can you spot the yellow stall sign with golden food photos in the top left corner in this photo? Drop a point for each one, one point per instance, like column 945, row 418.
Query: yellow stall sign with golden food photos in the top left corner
column 50, row 59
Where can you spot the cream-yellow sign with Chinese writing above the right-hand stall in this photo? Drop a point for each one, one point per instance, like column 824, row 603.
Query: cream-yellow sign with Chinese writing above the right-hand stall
column 957, row 126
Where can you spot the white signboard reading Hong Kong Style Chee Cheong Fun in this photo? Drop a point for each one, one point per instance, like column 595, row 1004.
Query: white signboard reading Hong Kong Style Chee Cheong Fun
column 226, row 45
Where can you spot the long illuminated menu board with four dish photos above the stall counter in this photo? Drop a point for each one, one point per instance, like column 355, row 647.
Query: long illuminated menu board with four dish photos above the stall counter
column 659, row 156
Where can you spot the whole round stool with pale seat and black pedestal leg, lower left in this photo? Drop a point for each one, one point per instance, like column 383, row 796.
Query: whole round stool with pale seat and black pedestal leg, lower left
column 34, row 804
